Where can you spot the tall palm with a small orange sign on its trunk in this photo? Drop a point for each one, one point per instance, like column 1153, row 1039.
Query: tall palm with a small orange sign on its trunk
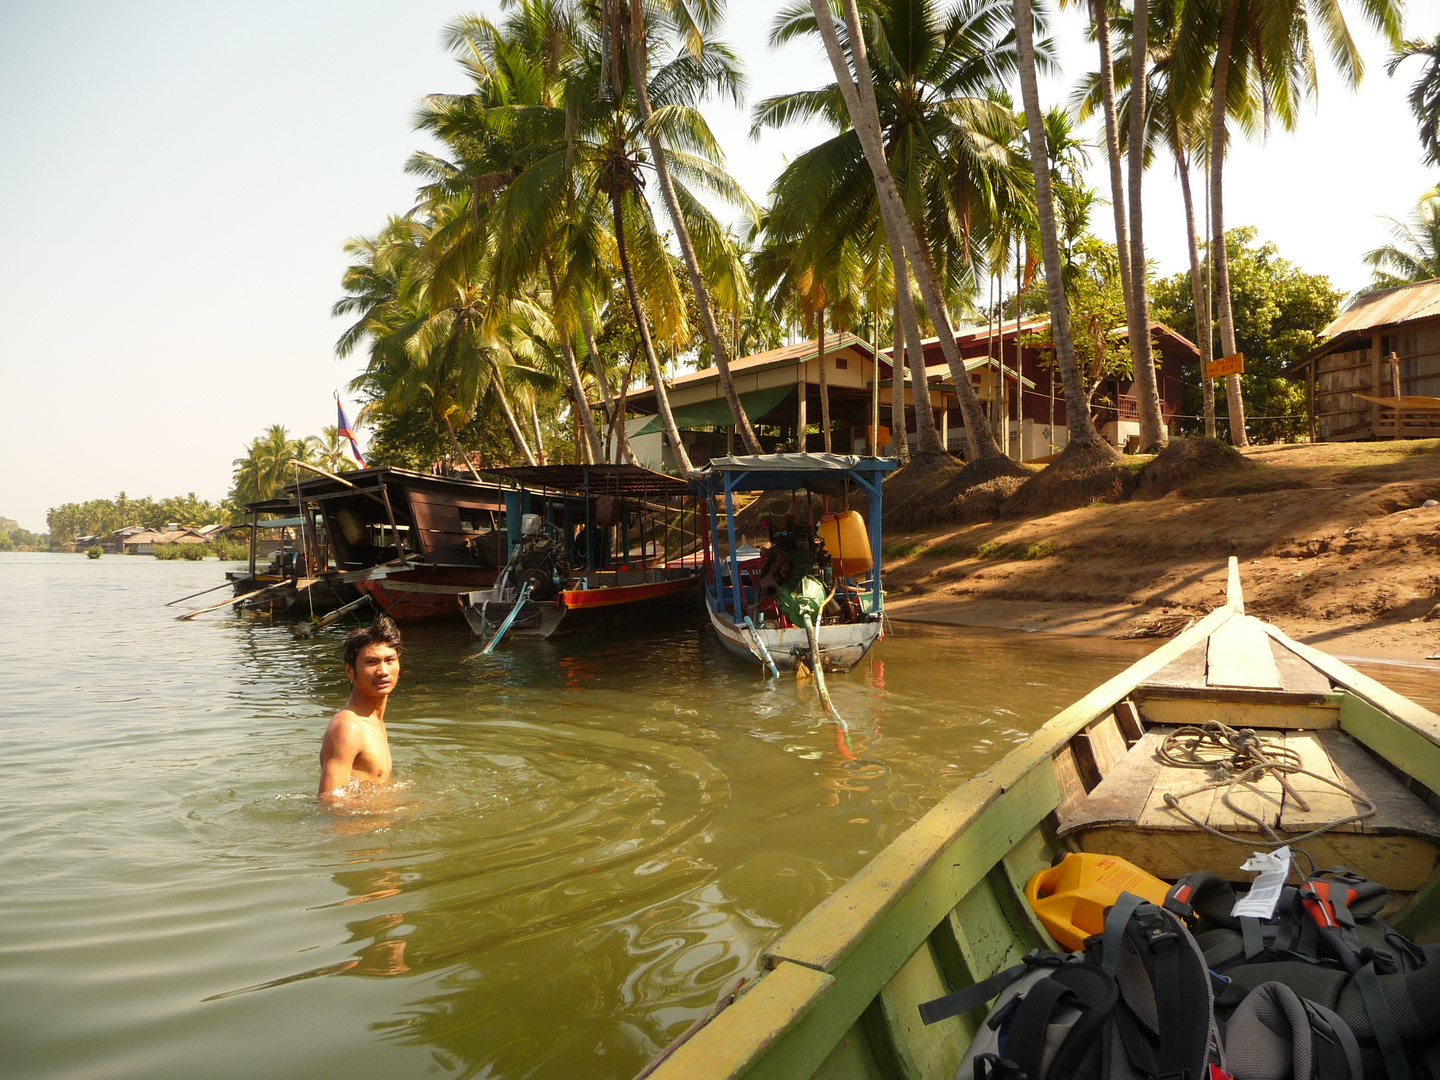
column 1262, row 50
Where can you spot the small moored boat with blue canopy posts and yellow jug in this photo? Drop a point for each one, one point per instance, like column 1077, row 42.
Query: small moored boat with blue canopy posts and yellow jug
column 761, row 603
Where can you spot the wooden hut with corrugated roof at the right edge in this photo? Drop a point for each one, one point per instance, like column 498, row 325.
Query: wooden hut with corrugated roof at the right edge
column 1383, row 348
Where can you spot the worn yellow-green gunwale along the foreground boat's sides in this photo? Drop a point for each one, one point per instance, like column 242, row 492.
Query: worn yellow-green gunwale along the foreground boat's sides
column 843, row 932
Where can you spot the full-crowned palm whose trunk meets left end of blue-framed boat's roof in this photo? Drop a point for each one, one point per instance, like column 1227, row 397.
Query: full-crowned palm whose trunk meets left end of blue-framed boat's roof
column 584, row 161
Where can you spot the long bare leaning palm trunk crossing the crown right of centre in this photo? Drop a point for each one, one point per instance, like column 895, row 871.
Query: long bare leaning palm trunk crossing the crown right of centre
column 860, row 102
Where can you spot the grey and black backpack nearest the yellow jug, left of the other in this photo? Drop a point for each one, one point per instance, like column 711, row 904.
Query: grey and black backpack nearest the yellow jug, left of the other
column 1135, row 1006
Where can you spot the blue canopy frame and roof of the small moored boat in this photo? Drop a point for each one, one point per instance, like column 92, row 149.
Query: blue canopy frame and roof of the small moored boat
column 824, row 474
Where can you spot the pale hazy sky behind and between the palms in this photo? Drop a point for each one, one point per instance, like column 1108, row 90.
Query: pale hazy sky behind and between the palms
column 178, row 179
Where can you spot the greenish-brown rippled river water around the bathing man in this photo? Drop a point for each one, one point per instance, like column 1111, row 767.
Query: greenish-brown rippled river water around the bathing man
column 588, row 842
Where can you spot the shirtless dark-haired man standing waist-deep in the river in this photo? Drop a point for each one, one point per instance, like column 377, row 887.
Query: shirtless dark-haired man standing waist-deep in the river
column 355, row 747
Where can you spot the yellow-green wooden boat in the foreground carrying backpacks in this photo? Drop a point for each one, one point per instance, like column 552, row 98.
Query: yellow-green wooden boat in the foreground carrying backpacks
column 944, row 906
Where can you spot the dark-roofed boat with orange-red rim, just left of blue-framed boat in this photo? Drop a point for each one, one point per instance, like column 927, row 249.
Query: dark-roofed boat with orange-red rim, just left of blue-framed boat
column 591, row 546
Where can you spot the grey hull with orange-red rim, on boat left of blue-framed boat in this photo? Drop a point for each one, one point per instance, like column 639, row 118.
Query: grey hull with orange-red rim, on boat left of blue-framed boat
column 582, row 610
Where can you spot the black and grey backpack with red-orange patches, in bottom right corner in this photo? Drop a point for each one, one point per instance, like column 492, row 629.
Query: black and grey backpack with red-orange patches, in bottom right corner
column 1357, row 978
